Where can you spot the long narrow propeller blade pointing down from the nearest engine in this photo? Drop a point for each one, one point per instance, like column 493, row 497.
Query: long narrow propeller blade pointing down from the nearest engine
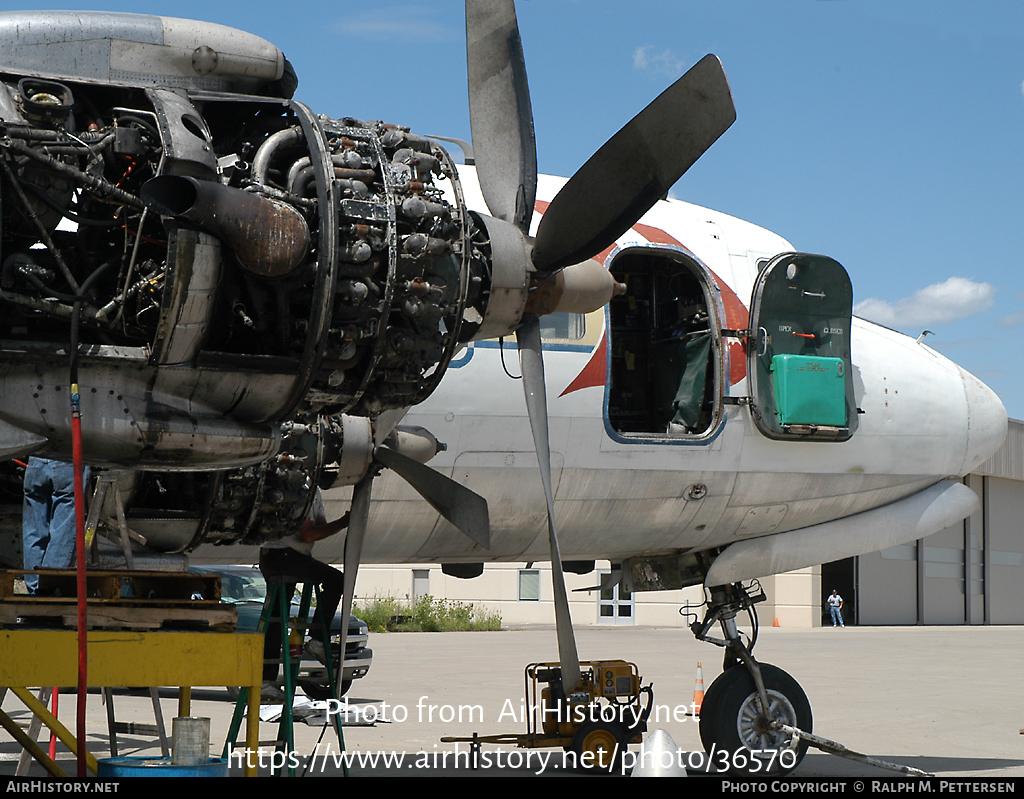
column 532, row 362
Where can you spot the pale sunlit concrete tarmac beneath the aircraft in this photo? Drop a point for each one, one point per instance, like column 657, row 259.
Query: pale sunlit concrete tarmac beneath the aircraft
column 945, row 700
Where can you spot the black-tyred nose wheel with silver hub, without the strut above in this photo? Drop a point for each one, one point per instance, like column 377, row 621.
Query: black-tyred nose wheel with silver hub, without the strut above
column 729, row 719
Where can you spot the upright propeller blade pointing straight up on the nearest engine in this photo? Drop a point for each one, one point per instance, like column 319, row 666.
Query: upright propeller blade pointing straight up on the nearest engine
column 500, row 113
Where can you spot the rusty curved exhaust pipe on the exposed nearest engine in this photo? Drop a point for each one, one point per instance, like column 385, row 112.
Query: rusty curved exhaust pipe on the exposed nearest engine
column 270, row 238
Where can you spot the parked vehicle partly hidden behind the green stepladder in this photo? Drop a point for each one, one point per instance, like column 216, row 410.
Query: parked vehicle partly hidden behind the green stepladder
column 246, row 590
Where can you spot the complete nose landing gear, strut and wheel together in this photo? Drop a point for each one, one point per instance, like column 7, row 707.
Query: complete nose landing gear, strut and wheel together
column 744, row 709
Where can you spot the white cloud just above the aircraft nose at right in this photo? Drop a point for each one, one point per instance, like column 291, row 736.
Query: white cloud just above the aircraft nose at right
column 941, row 303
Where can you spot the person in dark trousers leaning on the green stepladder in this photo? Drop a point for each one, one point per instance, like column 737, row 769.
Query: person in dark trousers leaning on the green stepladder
column 292, row 558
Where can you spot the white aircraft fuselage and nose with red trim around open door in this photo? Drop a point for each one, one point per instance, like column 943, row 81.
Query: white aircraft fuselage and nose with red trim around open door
column 923, row 419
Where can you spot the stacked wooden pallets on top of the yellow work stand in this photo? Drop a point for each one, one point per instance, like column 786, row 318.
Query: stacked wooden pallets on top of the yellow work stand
column 118, row 601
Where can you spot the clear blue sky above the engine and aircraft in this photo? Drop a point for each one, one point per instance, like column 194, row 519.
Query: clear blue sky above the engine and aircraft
column 887, row 136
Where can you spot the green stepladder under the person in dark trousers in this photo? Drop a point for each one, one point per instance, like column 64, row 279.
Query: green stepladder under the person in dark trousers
column 277, row 605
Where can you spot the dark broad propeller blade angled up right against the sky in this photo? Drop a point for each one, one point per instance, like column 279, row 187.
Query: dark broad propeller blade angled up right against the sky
column 635, row 169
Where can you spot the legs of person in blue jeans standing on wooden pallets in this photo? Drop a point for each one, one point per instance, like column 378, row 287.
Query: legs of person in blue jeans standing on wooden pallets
column 49, row 517
